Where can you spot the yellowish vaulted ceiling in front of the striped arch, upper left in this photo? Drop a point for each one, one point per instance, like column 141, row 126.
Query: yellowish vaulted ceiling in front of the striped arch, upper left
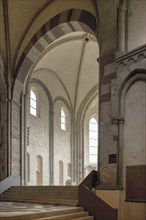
column 20, row 20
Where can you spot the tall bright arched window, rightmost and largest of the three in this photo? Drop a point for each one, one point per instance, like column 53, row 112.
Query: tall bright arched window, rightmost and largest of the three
column 93, row 140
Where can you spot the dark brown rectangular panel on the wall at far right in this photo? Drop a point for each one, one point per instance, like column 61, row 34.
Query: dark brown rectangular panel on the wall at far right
column 136, row 183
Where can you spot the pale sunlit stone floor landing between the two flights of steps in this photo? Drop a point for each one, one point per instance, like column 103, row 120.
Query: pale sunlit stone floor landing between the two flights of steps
column 15, row 208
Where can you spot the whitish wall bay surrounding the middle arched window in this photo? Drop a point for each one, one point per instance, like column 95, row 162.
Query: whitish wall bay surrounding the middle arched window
column 62, row 146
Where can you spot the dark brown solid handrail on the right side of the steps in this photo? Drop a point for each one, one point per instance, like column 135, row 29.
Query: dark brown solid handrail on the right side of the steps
column 91, row 202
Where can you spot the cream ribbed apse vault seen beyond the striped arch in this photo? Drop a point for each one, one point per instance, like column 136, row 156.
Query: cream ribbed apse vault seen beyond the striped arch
column 69, row 68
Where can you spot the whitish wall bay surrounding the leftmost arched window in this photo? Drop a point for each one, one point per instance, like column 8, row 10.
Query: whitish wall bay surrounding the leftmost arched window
column 39, row 138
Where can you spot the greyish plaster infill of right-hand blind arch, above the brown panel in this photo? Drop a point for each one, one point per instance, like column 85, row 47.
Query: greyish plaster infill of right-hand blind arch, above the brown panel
column 134, row 136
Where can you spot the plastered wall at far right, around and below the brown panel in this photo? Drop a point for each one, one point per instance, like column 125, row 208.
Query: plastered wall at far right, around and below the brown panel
column 134, row 145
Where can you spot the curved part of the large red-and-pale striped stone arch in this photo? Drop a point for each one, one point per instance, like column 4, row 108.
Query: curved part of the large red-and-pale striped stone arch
column 66, row 22
